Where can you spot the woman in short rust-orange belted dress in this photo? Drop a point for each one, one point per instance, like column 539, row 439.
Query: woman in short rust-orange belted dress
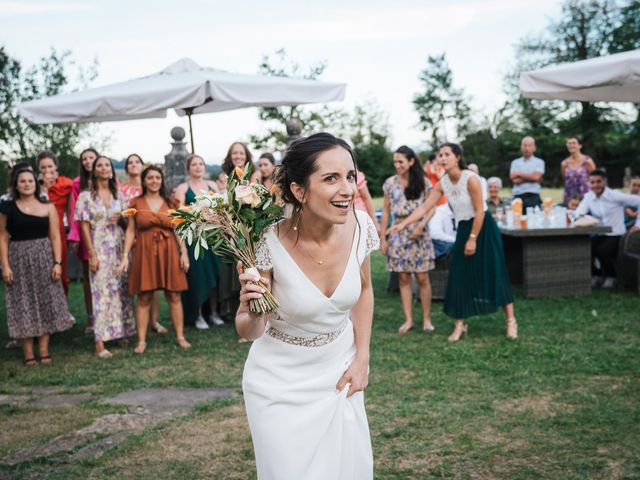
column 158, row 261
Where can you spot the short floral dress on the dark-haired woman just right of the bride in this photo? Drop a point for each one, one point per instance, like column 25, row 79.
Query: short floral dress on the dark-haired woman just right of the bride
column 405, row 254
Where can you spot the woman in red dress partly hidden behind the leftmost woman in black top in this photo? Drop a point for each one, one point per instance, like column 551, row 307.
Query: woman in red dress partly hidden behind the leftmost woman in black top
column 58, row 189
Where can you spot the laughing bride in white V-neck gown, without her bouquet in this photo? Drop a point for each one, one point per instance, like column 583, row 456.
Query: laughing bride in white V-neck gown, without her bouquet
column 304, row 377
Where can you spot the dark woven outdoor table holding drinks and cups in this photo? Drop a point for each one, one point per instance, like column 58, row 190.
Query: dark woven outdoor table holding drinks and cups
column 550, row 261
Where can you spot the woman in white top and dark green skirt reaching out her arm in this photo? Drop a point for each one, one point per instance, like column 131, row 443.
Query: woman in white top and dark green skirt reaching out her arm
column 478, row 281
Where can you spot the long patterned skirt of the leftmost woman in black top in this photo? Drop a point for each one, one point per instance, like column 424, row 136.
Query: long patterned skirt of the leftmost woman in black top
column 36, row 305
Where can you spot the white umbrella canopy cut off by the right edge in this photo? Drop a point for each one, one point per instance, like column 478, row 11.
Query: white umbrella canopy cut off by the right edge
column 611, row 78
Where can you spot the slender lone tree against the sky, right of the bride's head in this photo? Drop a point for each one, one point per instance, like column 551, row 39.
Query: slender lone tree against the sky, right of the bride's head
column 443, row 110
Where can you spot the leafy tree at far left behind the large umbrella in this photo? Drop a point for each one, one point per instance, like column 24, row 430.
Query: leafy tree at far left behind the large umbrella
column 20, row 140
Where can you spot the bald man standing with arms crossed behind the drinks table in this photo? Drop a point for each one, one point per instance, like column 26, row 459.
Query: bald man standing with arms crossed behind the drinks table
column 526, row 174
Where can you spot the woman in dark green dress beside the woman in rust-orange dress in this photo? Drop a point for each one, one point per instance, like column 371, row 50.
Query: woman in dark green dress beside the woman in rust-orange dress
column 204, row 272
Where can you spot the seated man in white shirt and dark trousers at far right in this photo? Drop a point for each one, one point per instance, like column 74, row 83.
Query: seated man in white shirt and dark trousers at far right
column 608, row 206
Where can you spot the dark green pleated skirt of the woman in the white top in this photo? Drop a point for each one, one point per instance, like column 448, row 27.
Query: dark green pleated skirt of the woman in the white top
column 478, row 284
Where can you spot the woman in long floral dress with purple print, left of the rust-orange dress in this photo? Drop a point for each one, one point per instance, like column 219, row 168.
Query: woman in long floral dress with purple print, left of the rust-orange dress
column 99, row 211
